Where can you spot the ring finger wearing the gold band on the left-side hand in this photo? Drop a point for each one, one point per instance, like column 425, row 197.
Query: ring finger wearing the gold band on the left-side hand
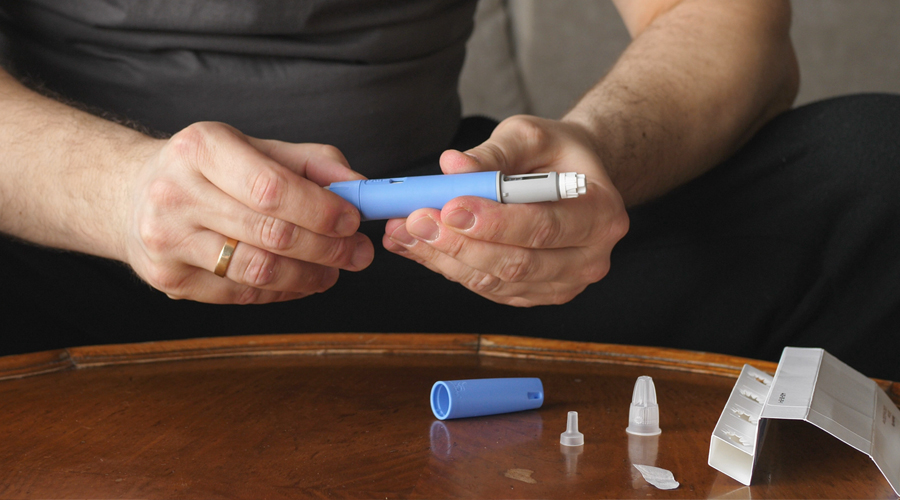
column 258, row 268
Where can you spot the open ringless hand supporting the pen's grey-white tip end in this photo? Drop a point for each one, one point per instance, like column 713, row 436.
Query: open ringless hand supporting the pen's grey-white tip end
column 527, row 254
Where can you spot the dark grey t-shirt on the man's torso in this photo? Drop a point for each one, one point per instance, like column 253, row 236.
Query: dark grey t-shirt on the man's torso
column 377, row 79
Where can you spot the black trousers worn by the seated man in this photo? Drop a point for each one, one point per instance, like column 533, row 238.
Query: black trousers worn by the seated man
column 793, row 241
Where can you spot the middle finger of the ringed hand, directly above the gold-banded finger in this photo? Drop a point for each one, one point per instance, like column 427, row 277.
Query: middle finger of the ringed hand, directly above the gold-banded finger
column 224, row 215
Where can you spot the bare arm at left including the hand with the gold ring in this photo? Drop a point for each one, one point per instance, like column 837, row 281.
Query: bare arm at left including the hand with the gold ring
column 73, row 181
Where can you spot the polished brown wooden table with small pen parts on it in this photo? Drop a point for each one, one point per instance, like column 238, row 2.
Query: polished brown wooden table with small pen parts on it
column 347, row 416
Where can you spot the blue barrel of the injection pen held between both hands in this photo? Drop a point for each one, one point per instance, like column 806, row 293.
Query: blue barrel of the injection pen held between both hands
column 398, row 197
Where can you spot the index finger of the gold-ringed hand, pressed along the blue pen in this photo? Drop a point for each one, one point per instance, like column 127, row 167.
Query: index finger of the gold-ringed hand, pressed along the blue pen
column 262, row 184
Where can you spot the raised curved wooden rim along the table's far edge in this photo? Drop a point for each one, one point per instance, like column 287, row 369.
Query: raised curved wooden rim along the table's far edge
column 74, row 358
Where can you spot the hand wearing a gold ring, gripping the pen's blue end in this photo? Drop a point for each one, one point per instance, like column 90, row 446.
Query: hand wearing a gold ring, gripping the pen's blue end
column 210, row 182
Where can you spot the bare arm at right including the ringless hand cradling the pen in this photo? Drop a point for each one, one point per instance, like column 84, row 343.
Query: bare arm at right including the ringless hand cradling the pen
column 699, row 78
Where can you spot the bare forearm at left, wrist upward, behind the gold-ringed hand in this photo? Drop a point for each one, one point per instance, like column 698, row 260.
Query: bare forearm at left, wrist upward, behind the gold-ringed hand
column 64, row 173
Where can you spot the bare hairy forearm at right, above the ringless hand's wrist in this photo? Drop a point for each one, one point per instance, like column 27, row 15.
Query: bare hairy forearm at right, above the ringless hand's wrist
column 693, row 86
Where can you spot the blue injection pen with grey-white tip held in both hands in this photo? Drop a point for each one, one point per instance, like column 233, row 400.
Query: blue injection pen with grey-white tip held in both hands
column 398, row 197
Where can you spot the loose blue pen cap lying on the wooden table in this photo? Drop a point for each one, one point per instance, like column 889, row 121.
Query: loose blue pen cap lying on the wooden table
column 485, row 396
